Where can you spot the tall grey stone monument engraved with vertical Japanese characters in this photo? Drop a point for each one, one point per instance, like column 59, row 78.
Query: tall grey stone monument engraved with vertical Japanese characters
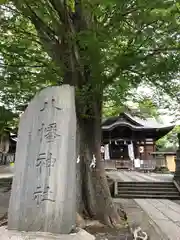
column 43, row 191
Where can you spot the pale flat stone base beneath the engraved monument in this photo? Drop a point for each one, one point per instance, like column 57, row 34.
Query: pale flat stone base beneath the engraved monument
column 6, row 234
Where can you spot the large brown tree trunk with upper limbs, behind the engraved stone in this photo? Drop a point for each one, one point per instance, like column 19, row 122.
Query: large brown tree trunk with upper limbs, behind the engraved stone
column 72, row 57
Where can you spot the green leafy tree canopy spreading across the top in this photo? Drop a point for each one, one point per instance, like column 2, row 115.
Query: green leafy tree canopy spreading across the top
column 142, row 46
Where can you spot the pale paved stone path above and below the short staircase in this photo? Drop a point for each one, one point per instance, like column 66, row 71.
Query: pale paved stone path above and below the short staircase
column 165, row 214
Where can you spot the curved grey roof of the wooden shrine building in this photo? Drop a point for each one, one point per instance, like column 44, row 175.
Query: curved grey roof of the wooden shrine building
column 135, row 123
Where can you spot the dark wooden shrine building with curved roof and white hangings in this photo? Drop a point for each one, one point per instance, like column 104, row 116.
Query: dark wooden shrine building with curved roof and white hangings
column 127, row 138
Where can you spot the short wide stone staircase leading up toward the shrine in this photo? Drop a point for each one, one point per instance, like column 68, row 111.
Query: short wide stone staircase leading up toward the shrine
column 157, row 190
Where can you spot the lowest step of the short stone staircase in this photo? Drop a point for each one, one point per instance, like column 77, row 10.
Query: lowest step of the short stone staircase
column 134, row 196
